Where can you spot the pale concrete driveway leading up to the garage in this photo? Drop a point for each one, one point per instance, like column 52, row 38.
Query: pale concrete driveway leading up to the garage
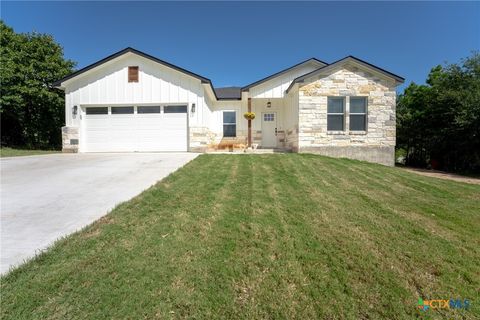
column 50, row 196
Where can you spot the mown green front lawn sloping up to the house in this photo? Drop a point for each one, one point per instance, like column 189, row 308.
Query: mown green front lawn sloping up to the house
column 265, row 236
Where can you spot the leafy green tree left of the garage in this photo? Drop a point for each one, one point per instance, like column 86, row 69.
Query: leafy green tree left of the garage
column 31, row 111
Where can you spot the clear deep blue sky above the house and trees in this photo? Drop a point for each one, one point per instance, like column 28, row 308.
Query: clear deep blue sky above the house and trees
column 236, row 43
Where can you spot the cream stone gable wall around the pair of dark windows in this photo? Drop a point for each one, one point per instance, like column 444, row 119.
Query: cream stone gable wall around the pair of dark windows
column 376, row 144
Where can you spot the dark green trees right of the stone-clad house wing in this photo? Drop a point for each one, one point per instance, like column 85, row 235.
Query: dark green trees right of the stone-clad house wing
column 438, row 124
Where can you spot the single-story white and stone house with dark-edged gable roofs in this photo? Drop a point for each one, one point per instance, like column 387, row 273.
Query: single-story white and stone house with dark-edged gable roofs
column 134, row 102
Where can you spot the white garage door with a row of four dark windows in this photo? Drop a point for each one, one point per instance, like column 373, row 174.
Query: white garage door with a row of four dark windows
column 142, row 128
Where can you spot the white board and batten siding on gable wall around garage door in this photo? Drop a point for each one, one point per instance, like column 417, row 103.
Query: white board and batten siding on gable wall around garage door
column 158, row 84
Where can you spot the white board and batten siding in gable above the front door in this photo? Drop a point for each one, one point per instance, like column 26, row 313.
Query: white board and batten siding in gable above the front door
column 276, row 87
